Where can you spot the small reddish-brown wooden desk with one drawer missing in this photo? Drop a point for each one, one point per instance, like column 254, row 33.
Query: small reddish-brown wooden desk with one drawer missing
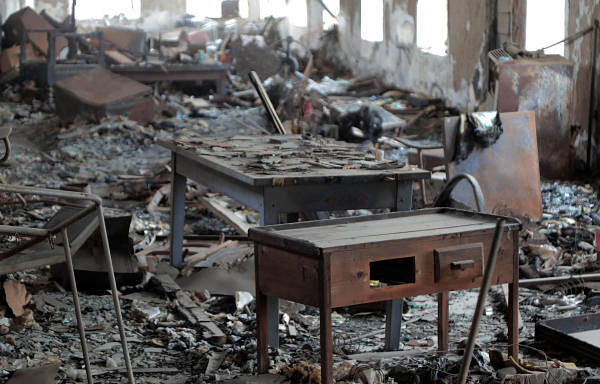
column 348, row 261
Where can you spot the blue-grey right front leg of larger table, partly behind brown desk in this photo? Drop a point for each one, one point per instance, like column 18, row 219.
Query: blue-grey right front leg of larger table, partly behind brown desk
column 393, row 319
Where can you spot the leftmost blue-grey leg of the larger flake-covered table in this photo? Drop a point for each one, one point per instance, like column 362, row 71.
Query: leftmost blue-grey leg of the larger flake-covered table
column 178, row 183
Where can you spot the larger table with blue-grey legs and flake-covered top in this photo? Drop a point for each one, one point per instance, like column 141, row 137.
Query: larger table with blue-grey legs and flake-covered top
column 287, row 174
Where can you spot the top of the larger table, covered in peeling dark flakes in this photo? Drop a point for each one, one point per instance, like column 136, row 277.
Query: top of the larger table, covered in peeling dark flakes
column 290, row 159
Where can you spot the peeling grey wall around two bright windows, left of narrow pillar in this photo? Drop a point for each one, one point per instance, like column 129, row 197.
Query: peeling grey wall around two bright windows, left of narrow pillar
column 460, row 76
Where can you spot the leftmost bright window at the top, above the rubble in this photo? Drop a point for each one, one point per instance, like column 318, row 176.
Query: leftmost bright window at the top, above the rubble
column 94, row 9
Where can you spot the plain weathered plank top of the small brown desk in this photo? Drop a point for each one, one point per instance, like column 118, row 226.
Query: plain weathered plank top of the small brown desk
column 316, row 236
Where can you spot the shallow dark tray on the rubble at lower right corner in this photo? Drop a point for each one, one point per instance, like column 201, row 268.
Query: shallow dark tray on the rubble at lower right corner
column 578, row 334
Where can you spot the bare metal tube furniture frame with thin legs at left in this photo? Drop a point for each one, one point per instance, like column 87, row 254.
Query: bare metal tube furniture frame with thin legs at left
column 18, row 257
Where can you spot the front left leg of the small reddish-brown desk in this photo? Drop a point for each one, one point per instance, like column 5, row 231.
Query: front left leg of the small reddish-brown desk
column 326, row 333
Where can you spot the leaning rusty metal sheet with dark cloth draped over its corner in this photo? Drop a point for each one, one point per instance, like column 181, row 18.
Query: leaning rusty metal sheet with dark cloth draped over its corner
column 507, row 170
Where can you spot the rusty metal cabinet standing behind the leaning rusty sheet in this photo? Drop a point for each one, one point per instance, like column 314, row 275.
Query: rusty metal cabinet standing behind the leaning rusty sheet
column 543, row 85
